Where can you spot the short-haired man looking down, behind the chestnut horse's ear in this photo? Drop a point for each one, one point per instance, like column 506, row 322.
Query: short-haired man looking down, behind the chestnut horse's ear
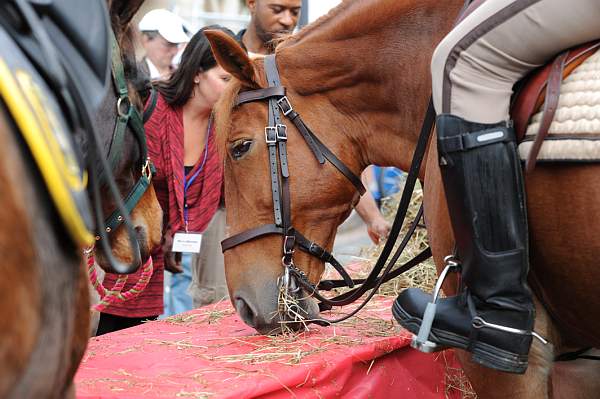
column 269, row 19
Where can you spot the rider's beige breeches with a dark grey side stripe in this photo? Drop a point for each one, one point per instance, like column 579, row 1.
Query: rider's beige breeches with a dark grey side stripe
column 476, row 65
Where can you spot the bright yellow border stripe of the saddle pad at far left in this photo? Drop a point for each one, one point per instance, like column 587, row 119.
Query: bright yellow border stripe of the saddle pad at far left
column 36, row 123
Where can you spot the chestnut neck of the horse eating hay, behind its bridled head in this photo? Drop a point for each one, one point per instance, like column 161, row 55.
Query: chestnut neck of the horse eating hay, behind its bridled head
column 371, row 60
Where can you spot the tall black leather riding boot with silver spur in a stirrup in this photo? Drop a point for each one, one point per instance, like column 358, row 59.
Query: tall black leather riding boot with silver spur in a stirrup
column 493, row 315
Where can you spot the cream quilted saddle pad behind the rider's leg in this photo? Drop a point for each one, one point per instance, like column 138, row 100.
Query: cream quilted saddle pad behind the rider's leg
column 574, row 134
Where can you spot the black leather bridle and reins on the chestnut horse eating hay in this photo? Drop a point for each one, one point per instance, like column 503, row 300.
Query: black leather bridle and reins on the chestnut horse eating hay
column 276, row 140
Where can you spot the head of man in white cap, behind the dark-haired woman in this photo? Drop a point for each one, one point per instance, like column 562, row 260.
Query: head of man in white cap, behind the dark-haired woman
column 162, row 33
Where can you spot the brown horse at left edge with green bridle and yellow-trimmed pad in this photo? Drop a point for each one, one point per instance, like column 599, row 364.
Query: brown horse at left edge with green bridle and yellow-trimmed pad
column 44, row 298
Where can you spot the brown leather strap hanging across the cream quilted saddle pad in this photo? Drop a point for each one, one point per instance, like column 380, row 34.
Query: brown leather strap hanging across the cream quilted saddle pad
column 550, row 106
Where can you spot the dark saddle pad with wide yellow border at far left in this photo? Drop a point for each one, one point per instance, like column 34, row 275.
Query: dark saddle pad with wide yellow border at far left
column 38, row 118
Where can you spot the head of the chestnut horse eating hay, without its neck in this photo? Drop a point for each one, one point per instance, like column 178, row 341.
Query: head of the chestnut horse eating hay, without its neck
column 320, row 197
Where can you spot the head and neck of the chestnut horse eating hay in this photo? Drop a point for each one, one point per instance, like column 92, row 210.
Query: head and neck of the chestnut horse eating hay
column 364, row 107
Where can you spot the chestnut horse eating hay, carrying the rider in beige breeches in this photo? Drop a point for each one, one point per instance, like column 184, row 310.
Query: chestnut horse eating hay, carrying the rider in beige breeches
column 360, row 79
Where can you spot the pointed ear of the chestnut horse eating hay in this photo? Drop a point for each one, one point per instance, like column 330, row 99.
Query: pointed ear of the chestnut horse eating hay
column 230, row 55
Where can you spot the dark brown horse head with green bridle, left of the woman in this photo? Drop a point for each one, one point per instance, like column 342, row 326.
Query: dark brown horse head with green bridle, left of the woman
column 126, row 156
